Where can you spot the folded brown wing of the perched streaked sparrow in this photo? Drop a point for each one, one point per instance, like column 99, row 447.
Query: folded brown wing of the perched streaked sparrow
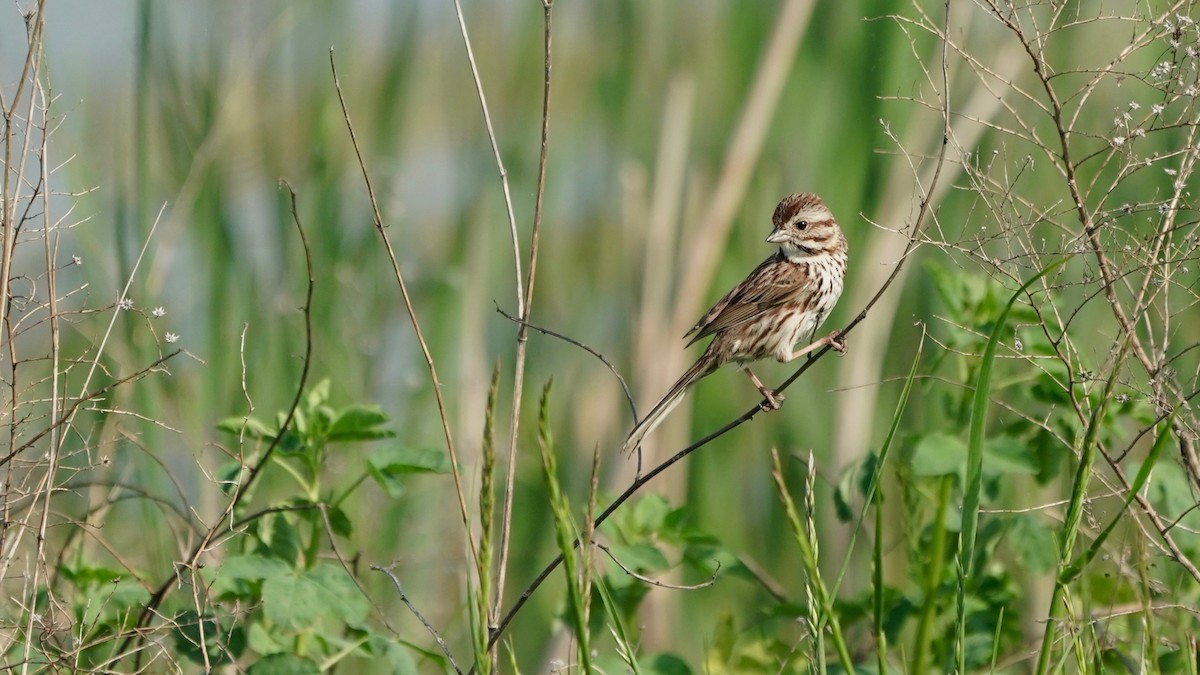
column 773, row 283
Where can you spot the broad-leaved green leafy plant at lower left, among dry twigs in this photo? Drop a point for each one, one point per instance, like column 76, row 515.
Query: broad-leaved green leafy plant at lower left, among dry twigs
column 305, row 613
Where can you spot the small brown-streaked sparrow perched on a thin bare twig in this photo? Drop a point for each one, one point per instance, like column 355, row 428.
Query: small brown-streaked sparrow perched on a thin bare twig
column 782, row 303
